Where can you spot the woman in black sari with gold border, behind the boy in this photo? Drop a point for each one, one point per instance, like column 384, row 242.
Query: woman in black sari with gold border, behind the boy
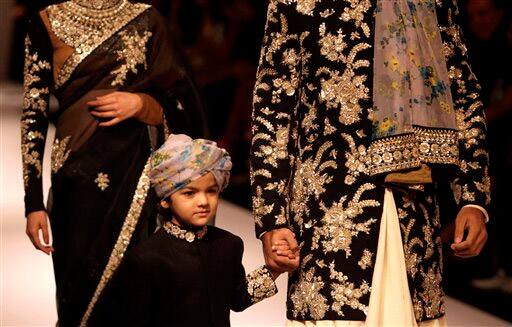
column 120, row 88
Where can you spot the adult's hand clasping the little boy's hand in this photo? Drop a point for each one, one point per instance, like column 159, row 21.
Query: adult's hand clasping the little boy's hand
column 272, row 259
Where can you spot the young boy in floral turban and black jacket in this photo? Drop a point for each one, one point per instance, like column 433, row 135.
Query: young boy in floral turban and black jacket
column 188, row 273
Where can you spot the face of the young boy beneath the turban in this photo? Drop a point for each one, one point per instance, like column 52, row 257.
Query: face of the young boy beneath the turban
column 195, row 204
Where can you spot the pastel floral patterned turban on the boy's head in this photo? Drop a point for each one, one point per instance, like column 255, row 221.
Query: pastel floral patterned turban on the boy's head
column 181, row 160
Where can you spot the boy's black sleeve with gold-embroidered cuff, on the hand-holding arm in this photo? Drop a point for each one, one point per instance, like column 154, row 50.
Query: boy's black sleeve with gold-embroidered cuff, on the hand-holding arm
column 256, row 286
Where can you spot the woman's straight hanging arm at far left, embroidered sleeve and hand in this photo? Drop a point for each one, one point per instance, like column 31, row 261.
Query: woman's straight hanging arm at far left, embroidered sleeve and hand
column 34, row 125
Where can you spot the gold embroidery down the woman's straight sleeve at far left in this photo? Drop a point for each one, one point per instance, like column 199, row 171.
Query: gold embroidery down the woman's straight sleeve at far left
column 34, row 102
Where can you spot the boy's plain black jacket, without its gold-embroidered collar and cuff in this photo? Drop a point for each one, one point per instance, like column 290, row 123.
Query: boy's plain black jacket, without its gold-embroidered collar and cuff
column 166, row 281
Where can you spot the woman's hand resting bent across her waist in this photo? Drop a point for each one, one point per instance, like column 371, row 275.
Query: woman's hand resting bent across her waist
column 118, row 106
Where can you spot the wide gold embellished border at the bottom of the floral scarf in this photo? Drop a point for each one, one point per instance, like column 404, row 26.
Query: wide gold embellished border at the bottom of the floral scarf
column 422, row 145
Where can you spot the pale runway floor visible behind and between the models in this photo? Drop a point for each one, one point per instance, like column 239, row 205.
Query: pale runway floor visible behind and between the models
column 26, row 276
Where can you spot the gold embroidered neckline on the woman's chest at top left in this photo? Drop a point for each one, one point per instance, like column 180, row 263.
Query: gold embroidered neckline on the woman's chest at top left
column 85, row 29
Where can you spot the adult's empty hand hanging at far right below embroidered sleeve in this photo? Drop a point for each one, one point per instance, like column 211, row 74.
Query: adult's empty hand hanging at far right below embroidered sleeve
column 471, row 220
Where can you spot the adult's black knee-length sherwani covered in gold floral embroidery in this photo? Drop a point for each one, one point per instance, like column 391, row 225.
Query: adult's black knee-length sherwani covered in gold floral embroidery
column 311, row 161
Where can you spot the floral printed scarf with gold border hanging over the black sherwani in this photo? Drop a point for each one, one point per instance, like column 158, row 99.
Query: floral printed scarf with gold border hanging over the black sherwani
column 413, row 118
